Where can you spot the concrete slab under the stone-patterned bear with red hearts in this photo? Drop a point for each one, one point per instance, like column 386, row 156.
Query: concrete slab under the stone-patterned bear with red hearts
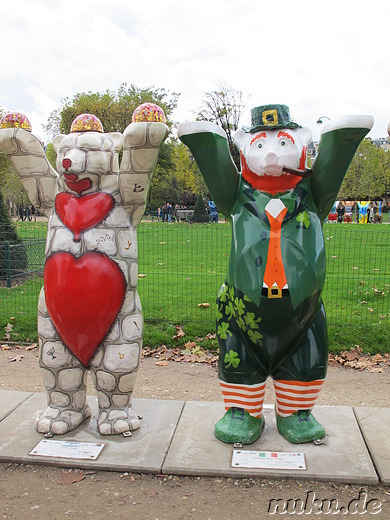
column 143, row 452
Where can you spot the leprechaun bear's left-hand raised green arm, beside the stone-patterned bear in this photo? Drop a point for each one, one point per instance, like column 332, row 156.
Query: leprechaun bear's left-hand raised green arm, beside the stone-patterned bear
column 209, row 146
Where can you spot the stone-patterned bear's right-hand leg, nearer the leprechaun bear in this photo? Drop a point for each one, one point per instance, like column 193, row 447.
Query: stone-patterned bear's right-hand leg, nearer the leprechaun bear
column 114, row 370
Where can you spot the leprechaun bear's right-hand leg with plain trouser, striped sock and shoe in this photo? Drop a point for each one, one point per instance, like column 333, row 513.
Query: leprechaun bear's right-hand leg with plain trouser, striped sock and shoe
column 298, row 381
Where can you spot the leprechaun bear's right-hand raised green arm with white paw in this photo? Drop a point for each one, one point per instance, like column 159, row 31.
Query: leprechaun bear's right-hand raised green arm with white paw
column 338, row 144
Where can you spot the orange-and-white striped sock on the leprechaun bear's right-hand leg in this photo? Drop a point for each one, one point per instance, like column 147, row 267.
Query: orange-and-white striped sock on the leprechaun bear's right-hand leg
column 292, row 396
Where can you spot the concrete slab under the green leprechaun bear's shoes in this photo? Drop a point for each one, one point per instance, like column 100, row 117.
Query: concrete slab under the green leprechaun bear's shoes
column 342, row 458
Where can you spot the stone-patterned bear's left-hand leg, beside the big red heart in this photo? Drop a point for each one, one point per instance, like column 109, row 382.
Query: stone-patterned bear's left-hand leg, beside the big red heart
column 64, row 378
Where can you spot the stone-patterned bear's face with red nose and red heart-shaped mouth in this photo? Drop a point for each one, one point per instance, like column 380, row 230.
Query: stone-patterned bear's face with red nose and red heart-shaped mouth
column 83, row 158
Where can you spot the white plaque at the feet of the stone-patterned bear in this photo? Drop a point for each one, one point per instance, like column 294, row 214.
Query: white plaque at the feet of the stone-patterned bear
column 68, row 449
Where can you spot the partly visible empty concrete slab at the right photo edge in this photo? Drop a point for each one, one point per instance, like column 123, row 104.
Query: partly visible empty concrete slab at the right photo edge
column 375, row 426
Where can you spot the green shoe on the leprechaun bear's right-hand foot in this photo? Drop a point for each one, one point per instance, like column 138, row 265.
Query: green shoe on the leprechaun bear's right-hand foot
column 300, row 427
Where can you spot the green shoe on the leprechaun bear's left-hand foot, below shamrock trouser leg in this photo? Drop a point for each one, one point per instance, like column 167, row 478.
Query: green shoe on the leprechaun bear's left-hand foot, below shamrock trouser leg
column 237, row 425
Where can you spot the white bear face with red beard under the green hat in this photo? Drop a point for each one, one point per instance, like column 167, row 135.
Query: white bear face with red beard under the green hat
column 266, row 152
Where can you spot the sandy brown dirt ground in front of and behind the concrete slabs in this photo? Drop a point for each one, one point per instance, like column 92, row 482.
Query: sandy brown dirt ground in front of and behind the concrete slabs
column 36, row 492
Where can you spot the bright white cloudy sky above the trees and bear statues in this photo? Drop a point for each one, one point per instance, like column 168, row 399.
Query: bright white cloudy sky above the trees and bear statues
column 328, row 58
